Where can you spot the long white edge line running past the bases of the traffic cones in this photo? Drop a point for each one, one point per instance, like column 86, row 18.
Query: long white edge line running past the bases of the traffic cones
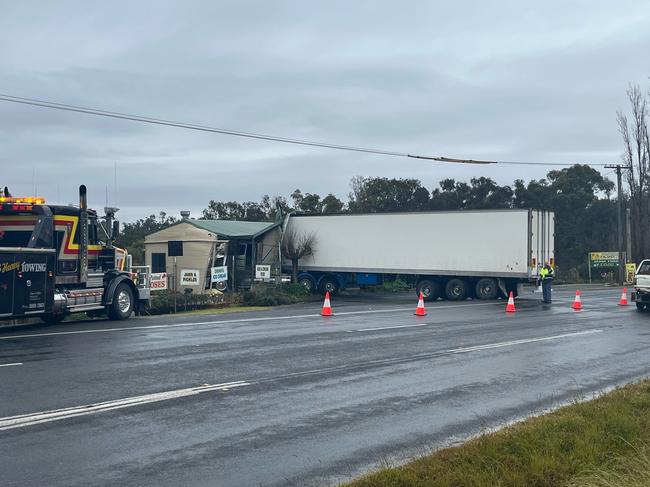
column 234, row 321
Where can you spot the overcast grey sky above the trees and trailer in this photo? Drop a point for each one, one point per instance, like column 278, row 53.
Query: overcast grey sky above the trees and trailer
column 493, row 80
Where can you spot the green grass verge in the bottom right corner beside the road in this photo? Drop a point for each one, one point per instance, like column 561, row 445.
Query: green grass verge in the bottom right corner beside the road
column 594, row 444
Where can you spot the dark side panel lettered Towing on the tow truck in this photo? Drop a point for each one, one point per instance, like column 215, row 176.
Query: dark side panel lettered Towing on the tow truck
column 26, row 281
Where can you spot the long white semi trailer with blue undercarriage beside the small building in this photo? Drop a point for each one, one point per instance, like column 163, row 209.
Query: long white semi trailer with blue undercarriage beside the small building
column 482, row 254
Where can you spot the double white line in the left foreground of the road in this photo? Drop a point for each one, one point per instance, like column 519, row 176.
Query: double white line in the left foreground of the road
column 30, row 419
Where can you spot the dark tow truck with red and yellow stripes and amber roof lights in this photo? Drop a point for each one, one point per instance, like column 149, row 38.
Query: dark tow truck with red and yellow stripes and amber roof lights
column 57, row 259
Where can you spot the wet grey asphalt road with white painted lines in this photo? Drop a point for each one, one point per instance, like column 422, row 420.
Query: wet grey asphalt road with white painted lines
column 293, row 398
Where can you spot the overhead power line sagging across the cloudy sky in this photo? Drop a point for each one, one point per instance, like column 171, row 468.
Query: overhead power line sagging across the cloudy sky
column 252, row 135
